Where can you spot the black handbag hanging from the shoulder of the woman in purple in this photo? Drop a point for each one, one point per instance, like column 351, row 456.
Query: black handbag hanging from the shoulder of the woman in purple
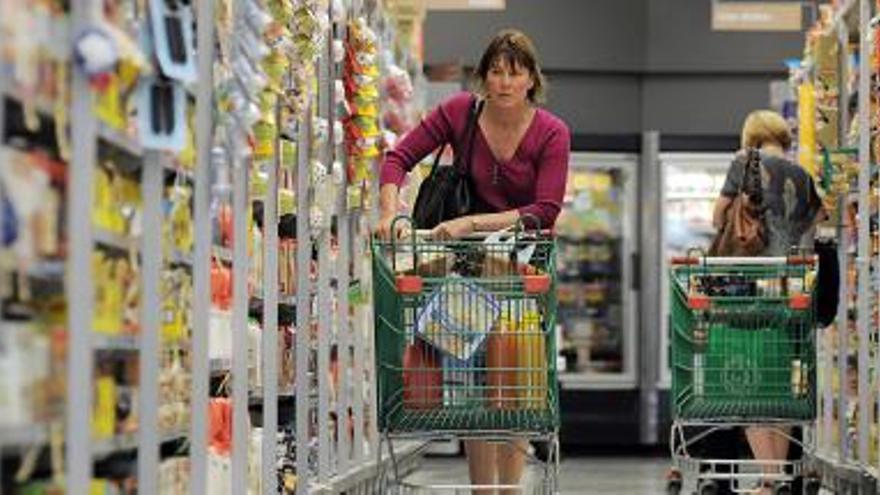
column 446, row 193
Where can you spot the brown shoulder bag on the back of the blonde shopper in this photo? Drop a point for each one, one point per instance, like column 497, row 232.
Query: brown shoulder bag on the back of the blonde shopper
column 743, row 232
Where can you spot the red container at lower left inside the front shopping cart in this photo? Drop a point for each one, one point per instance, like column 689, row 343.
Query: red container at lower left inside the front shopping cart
column 422, row 377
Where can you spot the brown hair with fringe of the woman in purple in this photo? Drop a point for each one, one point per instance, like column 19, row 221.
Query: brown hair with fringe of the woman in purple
column 515, row 48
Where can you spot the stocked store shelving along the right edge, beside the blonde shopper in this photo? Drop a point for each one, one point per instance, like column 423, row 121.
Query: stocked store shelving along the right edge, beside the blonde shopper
column 845, row 435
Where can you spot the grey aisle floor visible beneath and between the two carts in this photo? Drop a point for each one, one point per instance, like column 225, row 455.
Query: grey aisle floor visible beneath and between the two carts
column 582, row 475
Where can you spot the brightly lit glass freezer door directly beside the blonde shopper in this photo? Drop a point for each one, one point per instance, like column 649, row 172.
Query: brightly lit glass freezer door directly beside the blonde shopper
column 692, row 183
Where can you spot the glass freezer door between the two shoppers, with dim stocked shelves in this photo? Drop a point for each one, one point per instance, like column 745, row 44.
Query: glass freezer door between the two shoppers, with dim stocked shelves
column 596, row 238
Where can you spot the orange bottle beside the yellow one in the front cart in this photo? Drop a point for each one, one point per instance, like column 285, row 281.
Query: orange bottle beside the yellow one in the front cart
column 501, row 359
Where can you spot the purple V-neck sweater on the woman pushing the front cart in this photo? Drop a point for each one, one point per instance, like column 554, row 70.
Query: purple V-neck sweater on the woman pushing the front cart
column 533, row 181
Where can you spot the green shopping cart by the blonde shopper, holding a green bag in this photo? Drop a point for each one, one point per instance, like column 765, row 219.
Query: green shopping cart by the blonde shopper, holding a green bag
column 742, row 354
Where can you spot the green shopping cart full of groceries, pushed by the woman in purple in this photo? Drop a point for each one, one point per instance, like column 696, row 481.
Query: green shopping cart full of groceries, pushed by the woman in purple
column 465, row 346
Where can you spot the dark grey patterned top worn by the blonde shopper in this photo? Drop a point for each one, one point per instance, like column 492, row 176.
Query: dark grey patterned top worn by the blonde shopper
column 790, row 198
